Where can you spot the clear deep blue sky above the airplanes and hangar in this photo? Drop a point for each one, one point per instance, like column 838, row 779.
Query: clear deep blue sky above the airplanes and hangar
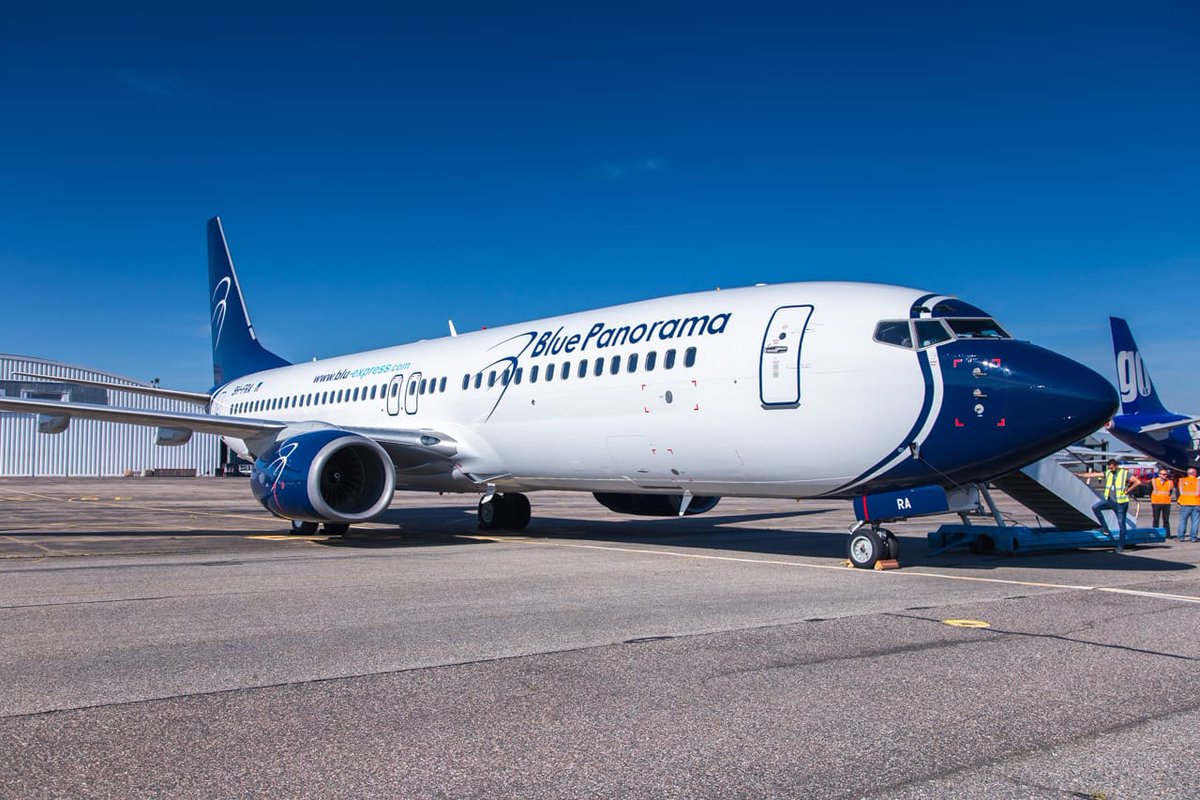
column 380, row 172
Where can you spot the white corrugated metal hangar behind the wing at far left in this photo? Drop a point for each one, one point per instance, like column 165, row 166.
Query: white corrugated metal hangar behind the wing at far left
column 89, row 447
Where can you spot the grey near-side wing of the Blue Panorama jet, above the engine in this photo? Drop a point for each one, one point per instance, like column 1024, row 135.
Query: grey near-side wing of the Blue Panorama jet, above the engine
column 410, row 449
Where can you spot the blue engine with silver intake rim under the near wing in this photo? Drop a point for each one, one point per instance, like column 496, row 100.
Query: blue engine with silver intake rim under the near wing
column 326, row 476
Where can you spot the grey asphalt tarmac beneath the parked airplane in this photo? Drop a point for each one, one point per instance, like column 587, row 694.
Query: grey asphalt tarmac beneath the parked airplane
column 166, row 637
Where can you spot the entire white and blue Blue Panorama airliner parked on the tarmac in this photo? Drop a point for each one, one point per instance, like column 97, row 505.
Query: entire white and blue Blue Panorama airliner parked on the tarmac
column 662, row 407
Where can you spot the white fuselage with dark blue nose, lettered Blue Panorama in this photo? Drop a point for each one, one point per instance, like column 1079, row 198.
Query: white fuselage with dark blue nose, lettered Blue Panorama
column 791, row 390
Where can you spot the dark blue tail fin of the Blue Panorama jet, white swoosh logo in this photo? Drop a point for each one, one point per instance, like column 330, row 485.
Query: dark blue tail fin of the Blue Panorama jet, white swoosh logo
column 236, row 350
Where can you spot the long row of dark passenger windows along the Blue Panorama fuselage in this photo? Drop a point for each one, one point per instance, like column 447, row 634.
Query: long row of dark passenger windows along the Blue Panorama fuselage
column 430, row 386
